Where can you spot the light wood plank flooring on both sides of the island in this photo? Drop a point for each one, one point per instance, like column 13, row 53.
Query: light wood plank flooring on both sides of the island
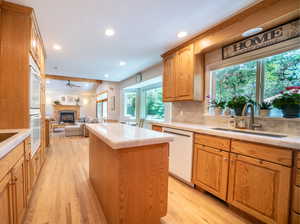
column 64, row 195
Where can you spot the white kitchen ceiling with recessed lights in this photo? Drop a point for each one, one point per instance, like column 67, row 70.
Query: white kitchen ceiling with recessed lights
column 144, row 30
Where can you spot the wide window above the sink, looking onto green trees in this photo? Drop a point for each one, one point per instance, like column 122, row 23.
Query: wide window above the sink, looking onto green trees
column 260, row 79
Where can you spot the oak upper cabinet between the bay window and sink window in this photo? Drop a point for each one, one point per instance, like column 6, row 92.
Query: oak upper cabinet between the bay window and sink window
column 183, row 76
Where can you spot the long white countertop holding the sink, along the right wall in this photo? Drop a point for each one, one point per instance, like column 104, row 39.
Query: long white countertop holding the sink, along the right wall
column 291, row 142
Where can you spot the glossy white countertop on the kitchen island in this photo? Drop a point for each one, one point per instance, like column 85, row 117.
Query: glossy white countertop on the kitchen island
column 119, row 136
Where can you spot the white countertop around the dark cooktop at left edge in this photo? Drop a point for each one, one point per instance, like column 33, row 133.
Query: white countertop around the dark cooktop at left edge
column 10, row 143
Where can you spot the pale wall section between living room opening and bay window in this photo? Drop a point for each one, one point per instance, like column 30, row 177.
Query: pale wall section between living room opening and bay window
column 113, row 90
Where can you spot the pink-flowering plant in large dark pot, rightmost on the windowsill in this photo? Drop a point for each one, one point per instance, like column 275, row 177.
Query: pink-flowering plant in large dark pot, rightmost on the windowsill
column 288, row 102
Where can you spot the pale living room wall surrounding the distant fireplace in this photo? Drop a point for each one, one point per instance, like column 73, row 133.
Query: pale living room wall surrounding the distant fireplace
column 88, row 105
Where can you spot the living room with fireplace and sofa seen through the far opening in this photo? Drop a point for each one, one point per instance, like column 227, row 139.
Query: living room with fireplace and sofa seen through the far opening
column 70, row 104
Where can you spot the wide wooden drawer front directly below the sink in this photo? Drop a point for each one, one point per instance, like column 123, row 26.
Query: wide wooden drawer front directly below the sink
column 263, row 152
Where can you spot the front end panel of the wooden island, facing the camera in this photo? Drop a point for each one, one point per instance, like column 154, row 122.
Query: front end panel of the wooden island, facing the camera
column 143, row 184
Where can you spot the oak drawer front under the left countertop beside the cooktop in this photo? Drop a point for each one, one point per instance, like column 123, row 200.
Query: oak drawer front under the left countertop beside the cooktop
column 8, row 161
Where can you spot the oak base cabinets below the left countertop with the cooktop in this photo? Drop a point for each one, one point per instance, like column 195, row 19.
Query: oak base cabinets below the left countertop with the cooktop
column 18, row 173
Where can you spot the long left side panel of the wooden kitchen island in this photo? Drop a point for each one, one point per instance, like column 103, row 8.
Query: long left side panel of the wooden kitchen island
column 103, row 171
